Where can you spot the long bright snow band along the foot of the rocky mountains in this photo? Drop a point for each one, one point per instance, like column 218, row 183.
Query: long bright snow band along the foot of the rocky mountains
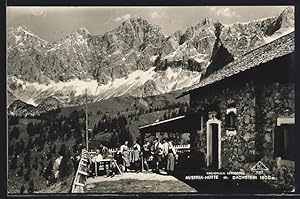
column 165, row 81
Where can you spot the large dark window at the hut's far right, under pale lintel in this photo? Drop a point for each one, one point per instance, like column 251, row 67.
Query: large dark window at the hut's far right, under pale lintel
column 284, row 141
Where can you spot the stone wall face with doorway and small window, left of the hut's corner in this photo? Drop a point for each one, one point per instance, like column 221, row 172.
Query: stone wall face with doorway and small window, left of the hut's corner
column 235, row 149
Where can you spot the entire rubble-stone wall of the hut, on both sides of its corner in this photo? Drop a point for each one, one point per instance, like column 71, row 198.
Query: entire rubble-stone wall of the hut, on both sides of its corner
column 258, row 106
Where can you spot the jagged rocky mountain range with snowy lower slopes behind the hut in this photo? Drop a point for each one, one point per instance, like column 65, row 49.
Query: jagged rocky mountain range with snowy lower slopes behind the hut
column 134, row 59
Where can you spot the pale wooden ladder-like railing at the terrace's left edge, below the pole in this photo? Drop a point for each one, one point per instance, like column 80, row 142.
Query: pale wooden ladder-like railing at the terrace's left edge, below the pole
column 81, row 175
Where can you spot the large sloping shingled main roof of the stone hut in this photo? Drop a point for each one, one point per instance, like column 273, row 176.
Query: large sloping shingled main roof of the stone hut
column 263, row 54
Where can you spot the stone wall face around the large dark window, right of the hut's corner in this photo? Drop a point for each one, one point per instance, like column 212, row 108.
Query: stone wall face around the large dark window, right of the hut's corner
column 279, row 101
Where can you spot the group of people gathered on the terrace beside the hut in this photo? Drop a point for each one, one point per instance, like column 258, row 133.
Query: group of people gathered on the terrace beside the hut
column 152, row 156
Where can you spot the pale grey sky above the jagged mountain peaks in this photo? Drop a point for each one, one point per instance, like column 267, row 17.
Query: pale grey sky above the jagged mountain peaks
column 53, row 23
